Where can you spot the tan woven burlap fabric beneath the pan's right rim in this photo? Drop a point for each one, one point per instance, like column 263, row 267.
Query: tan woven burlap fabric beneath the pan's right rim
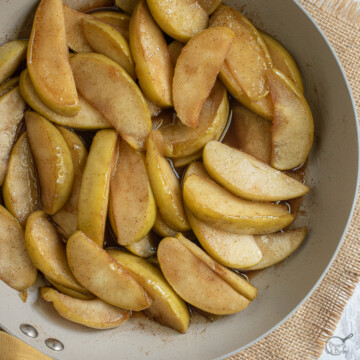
column 304, row 335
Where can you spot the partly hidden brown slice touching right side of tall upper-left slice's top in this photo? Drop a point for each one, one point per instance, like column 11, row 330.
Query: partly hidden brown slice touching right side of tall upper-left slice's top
column 74, row 30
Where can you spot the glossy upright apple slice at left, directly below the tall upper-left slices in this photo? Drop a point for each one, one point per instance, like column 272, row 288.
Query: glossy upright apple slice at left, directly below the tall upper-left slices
column 53, row 161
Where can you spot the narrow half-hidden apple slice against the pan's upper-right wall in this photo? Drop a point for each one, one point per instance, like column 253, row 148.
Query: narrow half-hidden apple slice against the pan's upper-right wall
column 283, row 61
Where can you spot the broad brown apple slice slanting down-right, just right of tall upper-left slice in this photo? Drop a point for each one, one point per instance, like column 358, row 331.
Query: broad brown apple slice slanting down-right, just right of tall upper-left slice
column 106, row 86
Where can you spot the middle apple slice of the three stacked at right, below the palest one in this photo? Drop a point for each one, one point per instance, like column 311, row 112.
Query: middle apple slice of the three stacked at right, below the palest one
column 212, row 204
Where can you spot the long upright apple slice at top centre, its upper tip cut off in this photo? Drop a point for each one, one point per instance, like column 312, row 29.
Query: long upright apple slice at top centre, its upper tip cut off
column 151, row 55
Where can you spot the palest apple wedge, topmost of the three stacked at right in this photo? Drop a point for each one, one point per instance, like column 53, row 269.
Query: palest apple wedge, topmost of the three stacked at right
column 248, row 177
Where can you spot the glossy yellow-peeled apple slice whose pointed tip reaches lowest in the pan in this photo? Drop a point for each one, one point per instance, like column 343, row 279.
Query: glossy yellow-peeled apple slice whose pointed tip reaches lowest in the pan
column 167, row 308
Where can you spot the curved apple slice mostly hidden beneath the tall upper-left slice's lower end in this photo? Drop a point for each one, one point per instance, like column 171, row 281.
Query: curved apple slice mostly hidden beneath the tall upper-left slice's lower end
column 88, row 118
